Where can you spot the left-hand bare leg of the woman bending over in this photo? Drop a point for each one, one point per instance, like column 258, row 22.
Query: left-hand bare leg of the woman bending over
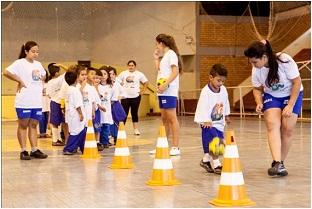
column 272, row 118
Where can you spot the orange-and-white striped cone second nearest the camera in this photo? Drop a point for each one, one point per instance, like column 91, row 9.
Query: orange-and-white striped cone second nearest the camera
column 163, row 173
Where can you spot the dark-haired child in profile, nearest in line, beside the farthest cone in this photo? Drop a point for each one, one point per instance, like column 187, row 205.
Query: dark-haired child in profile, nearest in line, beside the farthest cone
column 75, row 115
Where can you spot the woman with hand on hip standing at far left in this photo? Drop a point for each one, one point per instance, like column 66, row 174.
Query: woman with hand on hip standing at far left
column 29, row 74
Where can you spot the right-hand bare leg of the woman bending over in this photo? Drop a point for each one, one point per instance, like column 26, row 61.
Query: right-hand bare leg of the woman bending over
column 288, row 126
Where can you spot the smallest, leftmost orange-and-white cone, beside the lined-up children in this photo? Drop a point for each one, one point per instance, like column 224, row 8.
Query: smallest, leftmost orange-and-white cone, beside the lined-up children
column 90, row 148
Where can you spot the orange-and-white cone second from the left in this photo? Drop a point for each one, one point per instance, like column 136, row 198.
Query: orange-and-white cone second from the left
column 122, row 158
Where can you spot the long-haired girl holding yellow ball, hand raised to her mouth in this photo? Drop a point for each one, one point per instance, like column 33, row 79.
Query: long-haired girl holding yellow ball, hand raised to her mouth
column 169, row 68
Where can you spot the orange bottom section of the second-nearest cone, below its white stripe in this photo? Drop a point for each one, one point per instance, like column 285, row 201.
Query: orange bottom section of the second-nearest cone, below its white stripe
column 162, row 177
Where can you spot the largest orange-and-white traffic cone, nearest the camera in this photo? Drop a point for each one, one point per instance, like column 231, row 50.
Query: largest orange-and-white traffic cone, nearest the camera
column 232, row 191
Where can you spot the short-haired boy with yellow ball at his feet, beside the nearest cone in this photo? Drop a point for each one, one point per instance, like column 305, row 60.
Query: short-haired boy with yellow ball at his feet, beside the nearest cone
column 211, row 113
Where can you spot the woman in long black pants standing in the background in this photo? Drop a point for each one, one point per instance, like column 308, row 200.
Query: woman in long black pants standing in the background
column 130, row 80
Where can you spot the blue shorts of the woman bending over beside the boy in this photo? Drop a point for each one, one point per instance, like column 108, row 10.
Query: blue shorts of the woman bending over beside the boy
column 273, row 102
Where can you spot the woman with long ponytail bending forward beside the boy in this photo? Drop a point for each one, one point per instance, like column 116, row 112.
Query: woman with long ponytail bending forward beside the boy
column 278, row 93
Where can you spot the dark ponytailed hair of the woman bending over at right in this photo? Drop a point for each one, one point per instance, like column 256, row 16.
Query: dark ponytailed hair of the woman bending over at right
column 259, row 48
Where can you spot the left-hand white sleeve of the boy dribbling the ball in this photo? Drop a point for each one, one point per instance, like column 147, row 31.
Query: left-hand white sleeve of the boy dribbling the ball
column 201, row 113
